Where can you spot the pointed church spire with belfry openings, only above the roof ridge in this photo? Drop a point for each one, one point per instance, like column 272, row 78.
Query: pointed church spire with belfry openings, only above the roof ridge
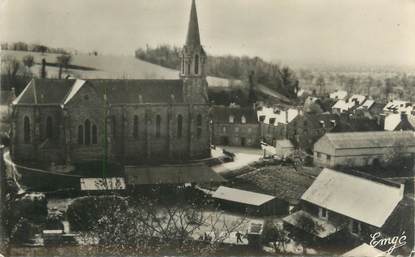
column 193, row 57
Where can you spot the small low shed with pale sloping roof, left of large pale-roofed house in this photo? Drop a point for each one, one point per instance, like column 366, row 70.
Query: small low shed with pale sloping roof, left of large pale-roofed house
column 248, row 202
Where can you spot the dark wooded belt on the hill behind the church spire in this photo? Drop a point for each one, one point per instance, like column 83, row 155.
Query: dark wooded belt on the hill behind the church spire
column 277, row 77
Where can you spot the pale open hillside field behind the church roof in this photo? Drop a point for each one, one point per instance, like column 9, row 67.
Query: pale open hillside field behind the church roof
column 110, row 67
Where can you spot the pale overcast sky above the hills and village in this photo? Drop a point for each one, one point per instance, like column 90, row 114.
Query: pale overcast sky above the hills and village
column 378, row 32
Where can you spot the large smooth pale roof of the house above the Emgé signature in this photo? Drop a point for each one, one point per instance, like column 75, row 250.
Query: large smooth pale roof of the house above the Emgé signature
column 352, row 195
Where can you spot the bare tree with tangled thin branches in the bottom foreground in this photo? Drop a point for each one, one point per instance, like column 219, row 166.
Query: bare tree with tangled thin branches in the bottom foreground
column 149, row 226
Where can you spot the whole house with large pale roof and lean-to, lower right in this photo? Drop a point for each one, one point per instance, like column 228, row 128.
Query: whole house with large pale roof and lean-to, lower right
column 336, row 205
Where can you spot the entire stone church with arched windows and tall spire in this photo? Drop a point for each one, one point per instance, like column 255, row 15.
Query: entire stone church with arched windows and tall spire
column 127, row 121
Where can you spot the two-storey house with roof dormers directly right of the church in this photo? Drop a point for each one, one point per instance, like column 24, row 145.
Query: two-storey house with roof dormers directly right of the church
column 235, row 126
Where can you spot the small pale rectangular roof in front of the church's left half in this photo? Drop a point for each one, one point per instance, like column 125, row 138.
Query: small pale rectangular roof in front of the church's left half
column 101, row 184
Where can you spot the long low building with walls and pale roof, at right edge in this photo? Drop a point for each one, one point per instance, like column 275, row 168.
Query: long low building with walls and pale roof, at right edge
column 362, row 148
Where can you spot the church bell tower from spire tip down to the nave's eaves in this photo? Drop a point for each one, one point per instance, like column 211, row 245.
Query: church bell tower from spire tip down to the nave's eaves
column 193, row 62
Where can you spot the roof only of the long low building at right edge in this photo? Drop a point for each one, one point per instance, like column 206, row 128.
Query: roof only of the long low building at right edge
column 372, row 139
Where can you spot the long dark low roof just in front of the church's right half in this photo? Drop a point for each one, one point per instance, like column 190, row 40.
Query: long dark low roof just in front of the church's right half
column 171, row 174
